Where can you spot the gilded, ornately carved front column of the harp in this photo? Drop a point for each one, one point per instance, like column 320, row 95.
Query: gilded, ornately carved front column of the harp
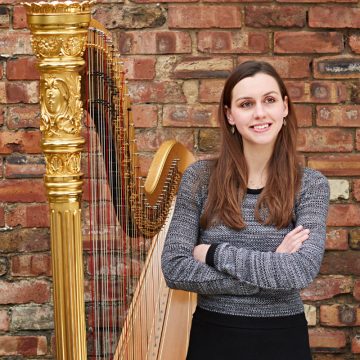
column 59, row 35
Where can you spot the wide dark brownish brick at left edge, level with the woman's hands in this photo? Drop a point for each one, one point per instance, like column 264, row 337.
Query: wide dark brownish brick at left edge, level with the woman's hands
column 25, row 240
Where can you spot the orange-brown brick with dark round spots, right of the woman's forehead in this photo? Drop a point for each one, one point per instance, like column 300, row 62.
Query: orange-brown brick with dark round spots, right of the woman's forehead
column 317, row 91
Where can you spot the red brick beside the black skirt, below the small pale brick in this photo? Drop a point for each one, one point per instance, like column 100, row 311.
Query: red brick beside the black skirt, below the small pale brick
column 327, row 339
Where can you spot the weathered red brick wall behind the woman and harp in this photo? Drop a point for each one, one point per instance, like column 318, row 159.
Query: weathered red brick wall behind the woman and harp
column 178, row 54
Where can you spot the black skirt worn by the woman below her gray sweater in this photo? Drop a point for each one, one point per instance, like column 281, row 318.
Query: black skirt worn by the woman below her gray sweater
column 217, row 336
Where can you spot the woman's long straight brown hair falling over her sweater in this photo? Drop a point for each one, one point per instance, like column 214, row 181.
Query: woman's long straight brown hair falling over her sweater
column 229, row 174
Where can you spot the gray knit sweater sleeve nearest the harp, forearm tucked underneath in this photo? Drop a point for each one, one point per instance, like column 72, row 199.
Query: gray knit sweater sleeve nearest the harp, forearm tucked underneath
column 180, row 269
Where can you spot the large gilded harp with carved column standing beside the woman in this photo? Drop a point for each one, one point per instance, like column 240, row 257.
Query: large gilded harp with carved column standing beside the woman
column 121, row 219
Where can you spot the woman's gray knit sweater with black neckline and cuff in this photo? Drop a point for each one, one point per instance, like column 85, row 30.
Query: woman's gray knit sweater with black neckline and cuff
column 247, row 277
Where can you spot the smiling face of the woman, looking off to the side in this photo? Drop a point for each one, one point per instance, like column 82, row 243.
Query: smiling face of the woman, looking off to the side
column 257, row 110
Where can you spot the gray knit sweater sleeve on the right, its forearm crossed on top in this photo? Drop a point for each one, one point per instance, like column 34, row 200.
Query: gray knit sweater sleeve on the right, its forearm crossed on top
column 271, row 270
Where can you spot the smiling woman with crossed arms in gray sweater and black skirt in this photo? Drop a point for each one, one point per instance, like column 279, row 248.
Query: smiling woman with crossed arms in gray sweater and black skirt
column 248, row 229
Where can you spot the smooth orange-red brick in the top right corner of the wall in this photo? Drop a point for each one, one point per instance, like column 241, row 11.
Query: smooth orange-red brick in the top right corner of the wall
column 334, row 17
